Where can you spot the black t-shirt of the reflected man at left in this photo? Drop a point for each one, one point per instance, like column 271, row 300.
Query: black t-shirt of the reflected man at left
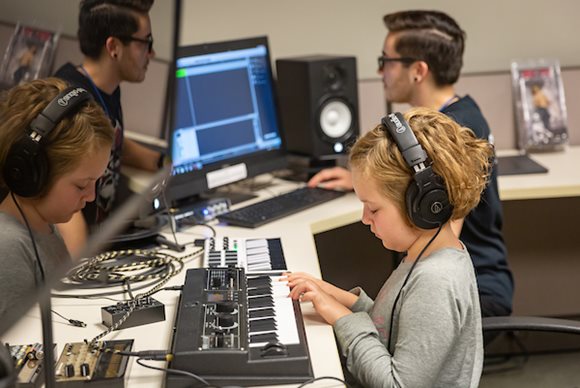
column 107, row 186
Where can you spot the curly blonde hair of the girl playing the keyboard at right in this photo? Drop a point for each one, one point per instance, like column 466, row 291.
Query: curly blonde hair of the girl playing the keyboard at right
column 457, row 155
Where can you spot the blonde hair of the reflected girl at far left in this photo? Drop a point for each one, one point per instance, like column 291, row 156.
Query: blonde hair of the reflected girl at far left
column 75, row 137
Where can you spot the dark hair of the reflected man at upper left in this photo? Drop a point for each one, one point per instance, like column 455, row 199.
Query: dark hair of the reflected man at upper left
column 100, row 19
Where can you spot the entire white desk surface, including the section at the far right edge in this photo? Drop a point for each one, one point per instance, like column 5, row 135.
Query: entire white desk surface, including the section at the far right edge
column 296, row 233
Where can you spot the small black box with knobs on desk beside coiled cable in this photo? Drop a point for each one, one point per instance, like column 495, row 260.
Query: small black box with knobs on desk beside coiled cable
column 147, row 310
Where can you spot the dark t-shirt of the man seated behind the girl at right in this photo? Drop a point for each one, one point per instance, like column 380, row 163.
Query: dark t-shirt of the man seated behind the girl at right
column 481, row 232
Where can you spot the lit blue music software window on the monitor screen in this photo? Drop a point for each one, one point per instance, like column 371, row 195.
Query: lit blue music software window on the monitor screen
column 217, row 115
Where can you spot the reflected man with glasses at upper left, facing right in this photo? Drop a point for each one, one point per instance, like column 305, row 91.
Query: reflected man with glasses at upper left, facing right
column 116, row 40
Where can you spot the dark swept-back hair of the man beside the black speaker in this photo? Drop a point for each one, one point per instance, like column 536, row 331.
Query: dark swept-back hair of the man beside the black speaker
column 430, row 36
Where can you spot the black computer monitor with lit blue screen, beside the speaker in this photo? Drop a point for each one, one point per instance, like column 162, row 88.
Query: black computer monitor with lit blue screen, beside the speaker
column 224, row 125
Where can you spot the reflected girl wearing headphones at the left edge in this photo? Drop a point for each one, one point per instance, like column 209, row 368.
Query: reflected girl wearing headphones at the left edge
column 54, row 145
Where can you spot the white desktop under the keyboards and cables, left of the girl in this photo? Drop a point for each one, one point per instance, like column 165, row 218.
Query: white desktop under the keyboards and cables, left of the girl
column 300, row 254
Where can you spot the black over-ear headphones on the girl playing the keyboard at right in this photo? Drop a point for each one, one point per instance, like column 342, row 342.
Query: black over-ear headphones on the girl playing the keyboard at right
column 426, row 197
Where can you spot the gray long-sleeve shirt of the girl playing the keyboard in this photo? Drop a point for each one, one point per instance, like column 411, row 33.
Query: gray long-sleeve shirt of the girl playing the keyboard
column 437, row 335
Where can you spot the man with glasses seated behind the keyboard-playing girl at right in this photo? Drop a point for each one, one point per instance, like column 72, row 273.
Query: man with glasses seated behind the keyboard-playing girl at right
column 421, row 61
